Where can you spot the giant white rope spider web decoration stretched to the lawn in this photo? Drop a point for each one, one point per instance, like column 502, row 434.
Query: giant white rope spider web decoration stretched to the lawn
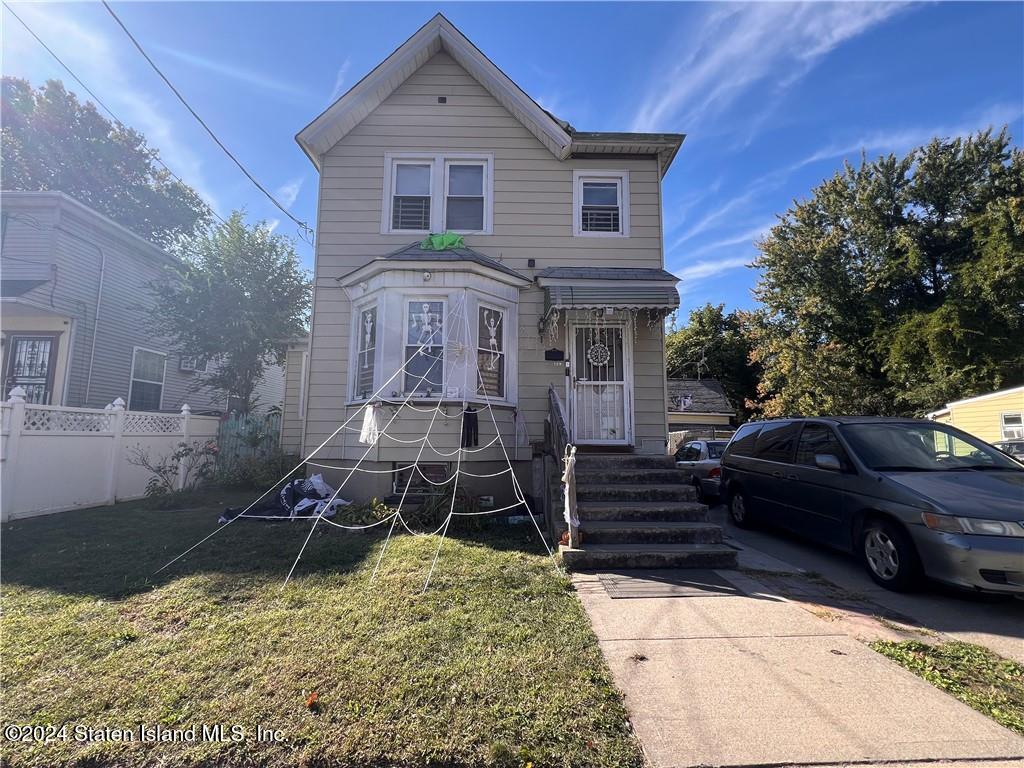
column 455, row 351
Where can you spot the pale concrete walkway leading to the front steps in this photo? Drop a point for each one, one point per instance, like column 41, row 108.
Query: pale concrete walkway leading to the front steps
column 719, row 672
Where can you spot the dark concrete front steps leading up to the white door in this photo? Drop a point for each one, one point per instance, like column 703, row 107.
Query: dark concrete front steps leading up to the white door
column 635, row 513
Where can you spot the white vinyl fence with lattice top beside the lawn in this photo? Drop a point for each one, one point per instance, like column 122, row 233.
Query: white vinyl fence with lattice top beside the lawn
column 55, row 459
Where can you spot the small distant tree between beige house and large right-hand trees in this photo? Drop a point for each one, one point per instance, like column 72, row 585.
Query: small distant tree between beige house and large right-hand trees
column 715, row 346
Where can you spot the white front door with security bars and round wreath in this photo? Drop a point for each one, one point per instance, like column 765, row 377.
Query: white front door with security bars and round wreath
column 602, row 386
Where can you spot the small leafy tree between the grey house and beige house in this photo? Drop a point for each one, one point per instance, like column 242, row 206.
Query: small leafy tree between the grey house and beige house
column 238, row 296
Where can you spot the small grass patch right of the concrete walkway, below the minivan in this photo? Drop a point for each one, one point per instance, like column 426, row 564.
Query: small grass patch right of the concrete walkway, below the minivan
column 978, row 677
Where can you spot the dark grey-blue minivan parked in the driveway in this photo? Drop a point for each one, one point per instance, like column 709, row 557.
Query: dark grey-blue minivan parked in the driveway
column 910, row 497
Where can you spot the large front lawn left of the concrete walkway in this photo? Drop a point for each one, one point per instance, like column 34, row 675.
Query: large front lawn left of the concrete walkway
column 495, row 665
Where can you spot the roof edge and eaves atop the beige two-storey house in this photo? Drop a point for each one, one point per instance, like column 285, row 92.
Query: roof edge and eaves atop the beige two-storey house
column 439, row 34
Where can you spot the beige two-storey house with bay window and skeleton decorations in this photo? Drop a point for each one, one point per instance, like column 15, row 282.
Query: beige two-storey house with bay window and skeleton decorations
column 561, row 283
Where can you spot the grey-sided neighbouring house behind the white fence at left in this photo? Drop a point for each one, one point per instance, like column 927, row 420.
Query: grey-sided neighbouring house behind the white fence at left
column 73, row 303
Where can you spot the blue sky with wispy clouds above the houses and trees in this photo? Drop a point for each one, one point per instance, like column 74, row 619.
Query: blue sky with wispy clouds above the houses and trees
column 773, row 97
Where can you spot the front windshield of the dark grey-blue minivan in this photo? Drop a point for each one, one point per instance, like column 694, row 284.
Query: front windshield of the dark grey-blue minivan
column 922, row 448
